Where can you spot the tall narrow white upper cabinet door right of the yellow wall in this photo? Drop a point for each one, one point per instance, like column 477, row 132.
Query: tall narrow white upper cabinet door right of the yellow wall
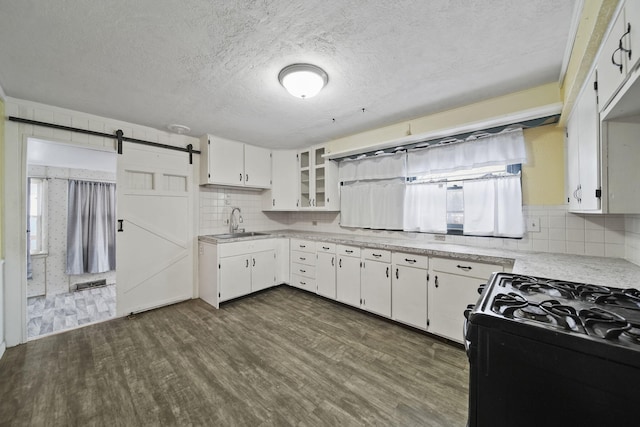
column 583, row 152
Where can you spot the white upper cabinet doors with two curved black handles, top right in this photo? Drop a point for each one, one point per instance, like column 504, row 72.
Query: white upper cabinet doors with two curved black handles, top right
column 620, row 51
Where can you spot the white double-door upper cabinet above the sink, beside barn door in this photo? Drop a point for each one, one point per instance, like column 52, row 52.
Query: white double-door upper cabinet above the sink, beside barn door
column 232, row 163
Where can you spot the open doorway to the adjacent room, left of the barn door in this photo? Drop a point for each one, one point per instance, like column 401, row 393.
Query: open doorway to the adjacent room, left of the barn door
column 59, row 297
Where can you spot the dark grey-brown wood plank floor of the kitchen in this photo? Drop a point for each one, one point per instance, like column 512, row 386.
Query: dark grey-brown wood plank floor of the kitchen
column 279, row 358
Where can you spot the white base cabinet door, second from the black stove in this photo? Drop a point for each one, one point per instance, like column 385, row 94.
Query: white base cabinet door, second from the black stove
column 409, row 296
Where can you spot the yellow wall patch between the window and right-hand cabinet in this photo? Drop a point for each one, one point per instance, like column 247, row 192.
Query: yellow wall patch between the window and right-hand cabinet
column 543, row 175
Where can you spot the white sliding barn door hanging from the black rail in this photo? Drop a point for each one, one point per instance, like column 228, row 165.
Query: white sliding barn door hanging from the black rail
column 154, row 250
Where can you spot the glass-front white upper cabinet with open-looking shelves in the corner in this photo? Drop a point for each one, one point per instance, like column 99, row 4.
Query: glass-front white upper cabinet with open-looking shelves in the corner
column 318, row 181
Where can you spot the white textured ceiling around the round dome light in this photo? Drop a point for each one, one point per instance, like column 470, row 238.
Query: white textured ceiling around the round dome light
column 212, row 65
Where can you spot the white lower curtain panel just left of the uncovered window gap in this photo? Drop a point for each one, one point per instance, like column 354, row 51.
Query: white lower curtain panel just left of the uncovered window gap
column 425, row 208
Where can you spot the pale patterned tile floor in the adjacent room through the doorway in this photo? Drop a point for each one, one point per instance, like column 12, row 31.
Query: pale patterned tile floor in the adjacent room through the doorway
column 56, row 313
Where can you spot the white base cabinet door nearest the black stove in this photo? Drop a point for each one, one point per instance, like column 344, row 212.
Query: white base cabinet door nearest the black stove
column 449, row 295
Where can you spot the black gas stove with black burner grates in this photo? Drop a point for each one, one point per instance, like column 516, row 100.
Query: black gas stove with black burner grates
column 553, row 353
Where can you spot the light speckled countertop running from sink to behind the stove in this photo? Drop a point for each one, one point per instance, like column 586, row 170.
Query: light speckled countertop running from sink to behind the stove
column 577, row 268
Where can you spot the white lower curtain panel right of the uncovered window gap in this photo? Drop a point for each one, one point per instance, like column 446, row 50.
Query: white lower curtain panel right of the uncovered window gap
column 493, row 207
